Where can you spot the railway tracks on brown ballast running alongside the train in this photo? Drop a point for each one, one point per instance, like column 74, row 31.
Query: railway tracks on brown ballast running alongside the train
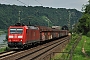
column 36, row 53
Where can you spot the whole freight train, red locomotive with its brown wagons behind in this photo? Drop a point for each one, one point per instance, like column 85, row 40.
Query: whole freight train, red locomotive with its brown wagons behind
column 20, row 35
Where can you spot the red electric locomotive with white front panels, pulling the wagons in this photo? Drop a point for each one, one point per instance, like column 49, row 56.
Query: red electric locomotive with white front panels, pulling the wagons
column 20, row 35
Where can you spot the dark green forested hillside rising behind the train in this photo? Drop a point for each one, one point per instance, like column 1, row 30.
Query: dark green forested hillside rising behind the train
column 37, row 15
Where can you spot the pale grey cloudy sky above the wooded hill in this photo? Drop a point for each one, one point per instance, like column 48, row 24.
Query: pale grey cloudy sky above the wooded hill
column 69, row 4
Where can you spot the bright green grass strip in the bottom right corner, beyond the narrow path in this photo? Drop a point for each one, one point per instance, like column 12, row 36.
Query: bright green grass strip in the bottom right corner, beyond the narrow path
column 84, row 43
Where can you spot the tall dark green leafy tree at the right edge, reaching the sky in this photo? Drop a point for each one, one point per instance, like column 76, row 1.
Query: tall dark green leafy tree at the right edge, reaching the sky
column 84, row 22
